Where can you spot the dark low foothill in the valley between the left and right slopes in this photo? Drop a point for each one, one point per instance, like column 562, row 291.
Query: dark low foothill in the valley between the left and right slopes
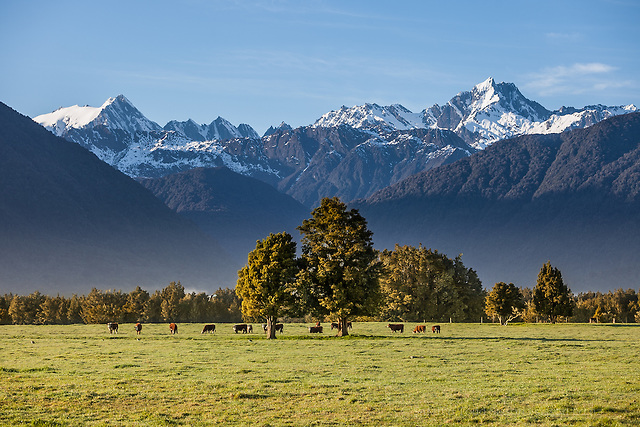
column 235, row 209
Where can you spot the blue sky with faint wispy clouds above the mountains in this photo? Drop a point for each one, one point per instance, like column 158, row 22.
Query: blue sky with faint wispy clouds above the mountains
column 263, row 62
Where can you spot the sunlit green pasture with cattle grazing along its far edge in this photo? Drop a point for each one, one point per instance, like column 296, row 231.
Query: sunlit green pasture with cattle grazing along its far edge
column 531, row 374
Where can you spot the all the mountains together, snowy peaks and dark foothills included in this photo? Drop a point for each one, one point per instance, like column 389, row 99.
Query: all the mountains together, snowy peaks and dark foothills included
column 491, row 175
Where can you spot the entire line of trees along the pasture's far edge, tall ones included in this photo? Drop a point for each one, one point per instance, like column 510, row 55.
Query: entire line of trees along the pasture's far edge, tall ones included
column 339, row 277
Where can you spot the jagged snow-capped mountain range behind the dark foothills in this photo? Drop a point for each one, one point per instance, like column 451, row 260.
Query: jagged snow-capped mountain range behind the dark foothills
column 350, row 153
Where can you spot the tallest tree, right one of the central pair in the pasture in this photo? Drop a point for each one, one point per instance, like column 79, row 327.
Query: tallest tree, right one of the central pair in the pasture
column 340, row 267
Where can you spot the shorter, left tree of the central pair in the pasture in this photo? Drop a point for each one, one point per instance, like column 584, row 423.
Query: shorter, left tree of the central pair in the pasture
column 266, row 283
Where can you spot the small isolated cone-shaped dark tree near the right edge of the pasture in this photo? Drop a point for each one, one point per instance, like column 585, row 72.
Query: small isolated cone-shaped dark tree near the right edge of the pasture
column 551, row 297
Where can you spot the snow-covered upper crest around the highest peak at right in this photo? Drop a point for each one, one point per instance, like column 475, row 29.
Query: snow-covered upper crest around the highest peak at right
column 487, row 113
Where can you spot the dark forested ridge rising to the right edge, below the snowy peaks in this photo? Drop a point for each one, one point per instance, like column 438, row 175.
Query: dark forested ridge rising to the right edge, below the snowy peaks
column 572, row 198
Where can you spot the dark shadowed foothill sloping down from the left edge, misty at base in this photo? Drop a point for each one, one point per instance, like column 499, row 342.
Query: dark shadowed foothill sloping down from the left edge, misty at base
column 70, row 222
